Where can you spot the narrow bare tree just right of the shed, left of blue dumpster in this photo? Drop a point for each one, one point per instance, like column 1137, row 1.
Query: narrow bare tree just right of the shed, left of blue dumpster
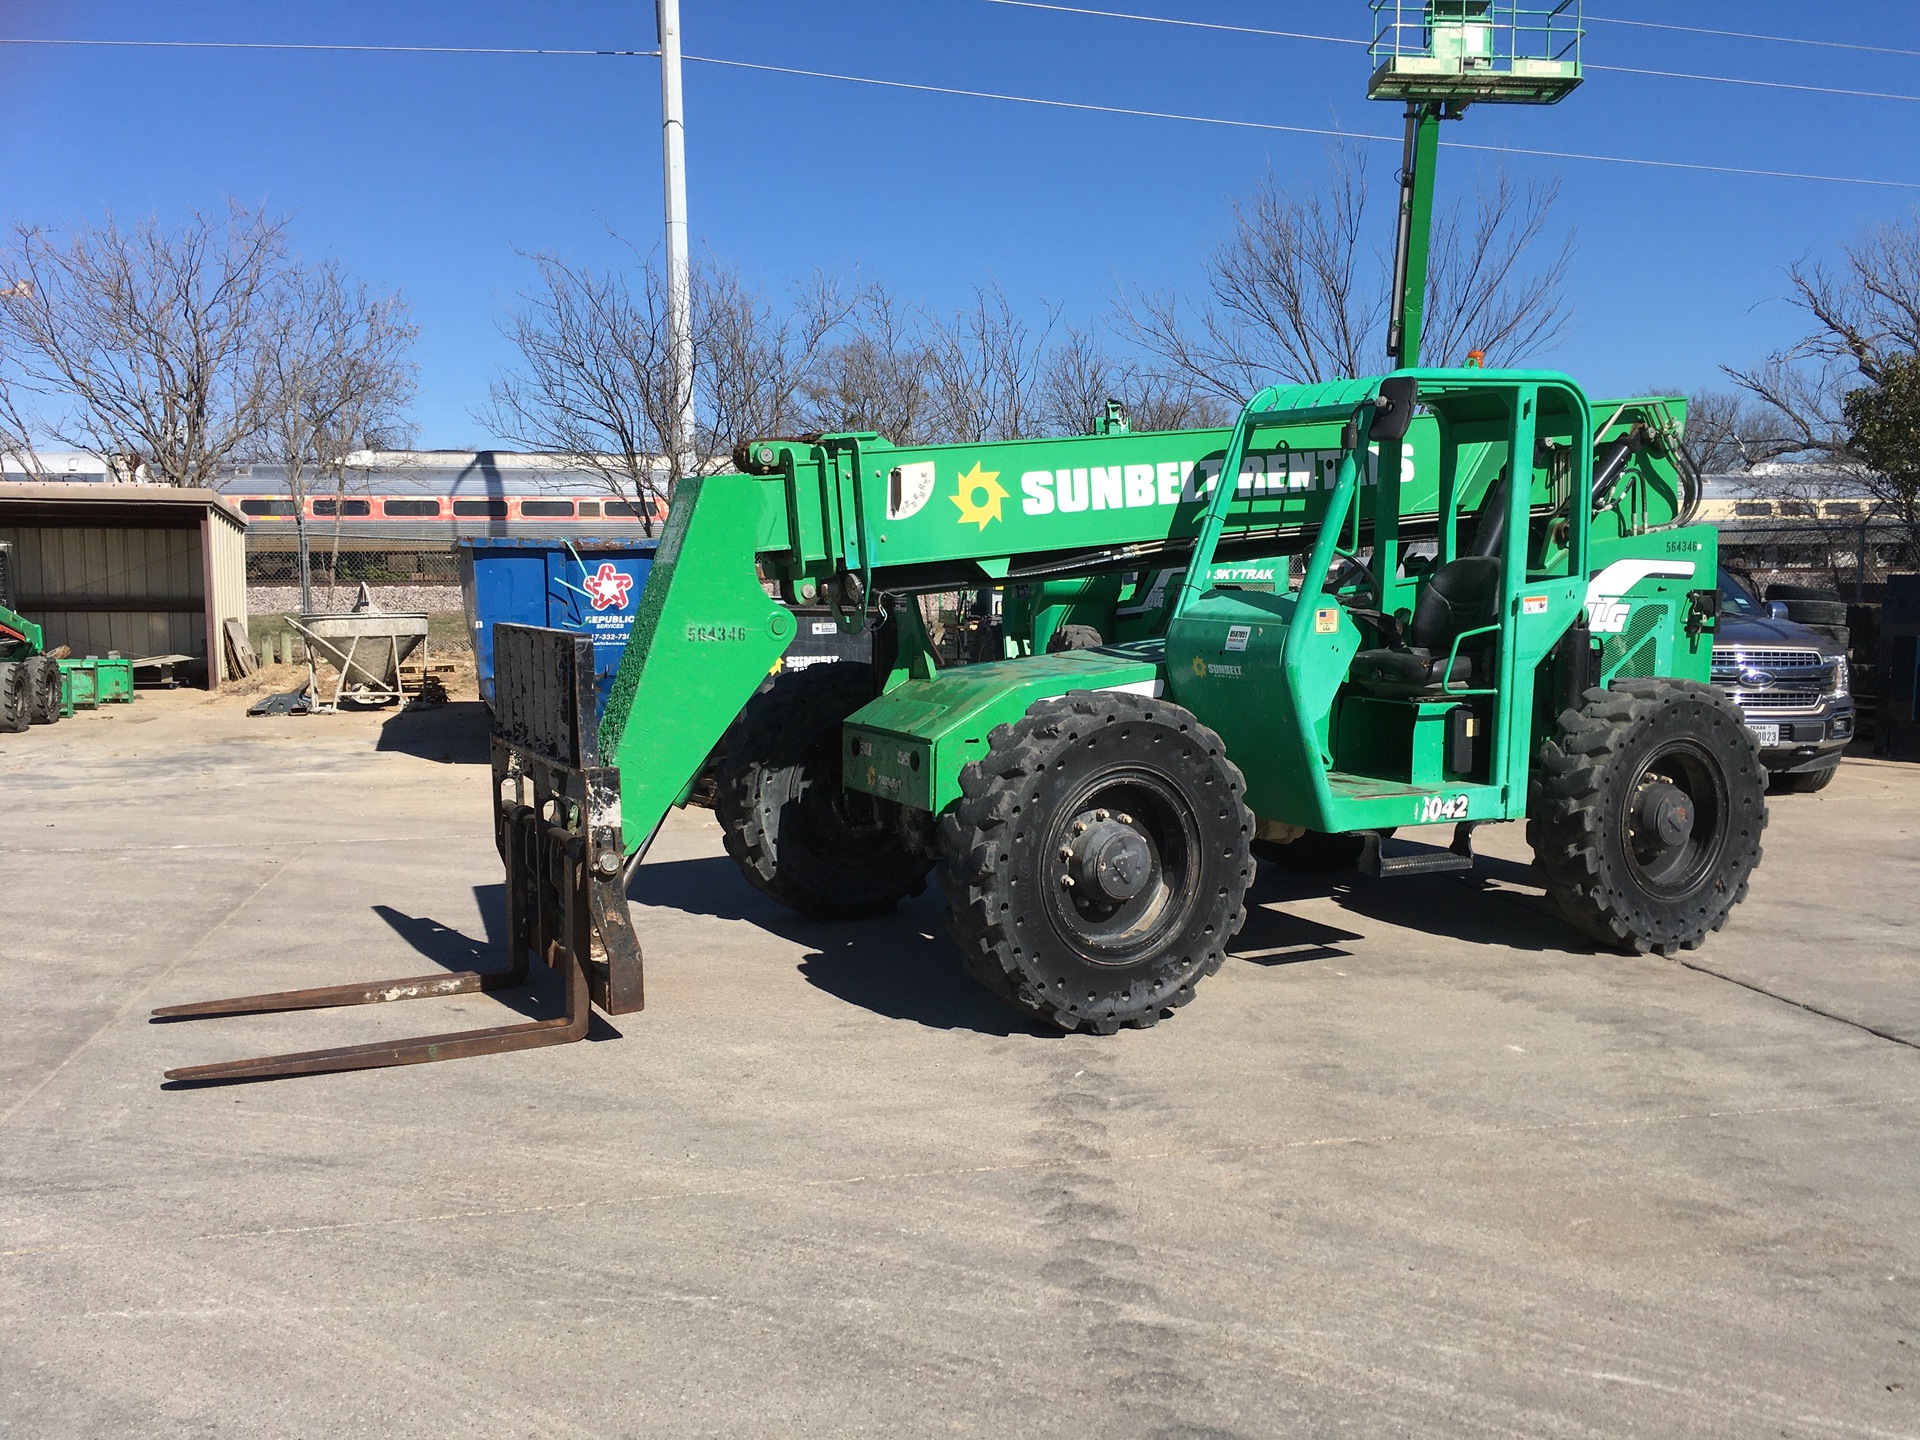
column 339, row 379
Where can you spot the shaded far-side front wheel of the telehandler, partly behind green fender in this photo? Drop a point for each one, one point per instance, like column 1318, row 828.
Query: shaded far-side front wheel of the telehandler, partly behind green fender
column 790, row 825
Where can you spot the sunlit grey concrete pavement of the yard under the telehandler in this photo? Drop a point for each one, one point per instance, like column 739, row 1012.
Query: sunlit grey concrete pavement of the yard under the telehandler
column 1416, row 1163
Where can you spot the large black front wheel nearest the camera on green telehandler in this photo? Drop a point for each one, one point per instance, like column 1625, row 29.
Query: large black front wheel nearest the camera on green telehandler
column 1097, row 861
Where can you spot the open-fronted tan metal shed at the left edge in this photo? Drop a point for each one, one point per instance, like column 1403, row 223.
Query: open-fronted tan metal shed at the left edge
column 133, row 569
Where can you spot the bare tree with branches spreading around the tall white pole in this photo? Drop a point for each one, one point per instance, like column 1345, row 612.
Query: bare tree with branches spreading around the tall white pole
column 596, row 377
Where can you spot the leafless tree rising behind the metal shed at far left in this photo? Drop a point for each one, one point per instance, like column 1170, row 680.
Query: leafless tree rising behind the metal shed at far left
column 143, row 345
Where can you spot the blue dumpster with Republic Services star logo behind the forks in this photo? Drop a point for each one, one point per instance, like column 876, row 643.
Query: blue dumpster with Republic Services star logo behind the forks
column 588, row 587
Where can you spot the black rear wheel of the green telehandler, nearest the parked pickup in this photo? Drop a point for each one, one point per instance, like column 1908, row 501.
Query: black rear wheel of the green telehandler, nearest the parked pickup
column 1648, row 815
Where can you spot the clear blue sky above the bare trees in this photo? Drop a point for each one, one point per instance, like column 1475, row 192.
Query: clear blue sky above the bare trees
column 429, row 172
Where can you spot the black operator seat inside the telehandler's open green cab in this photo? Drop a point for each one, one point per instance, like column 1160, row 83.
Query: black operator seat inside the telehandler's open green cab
column 1460, row 596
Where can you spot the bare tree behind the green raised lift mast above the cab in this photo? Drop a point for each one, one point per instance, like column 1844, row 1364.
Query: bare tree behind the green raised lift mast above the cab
column 1299, row 295
